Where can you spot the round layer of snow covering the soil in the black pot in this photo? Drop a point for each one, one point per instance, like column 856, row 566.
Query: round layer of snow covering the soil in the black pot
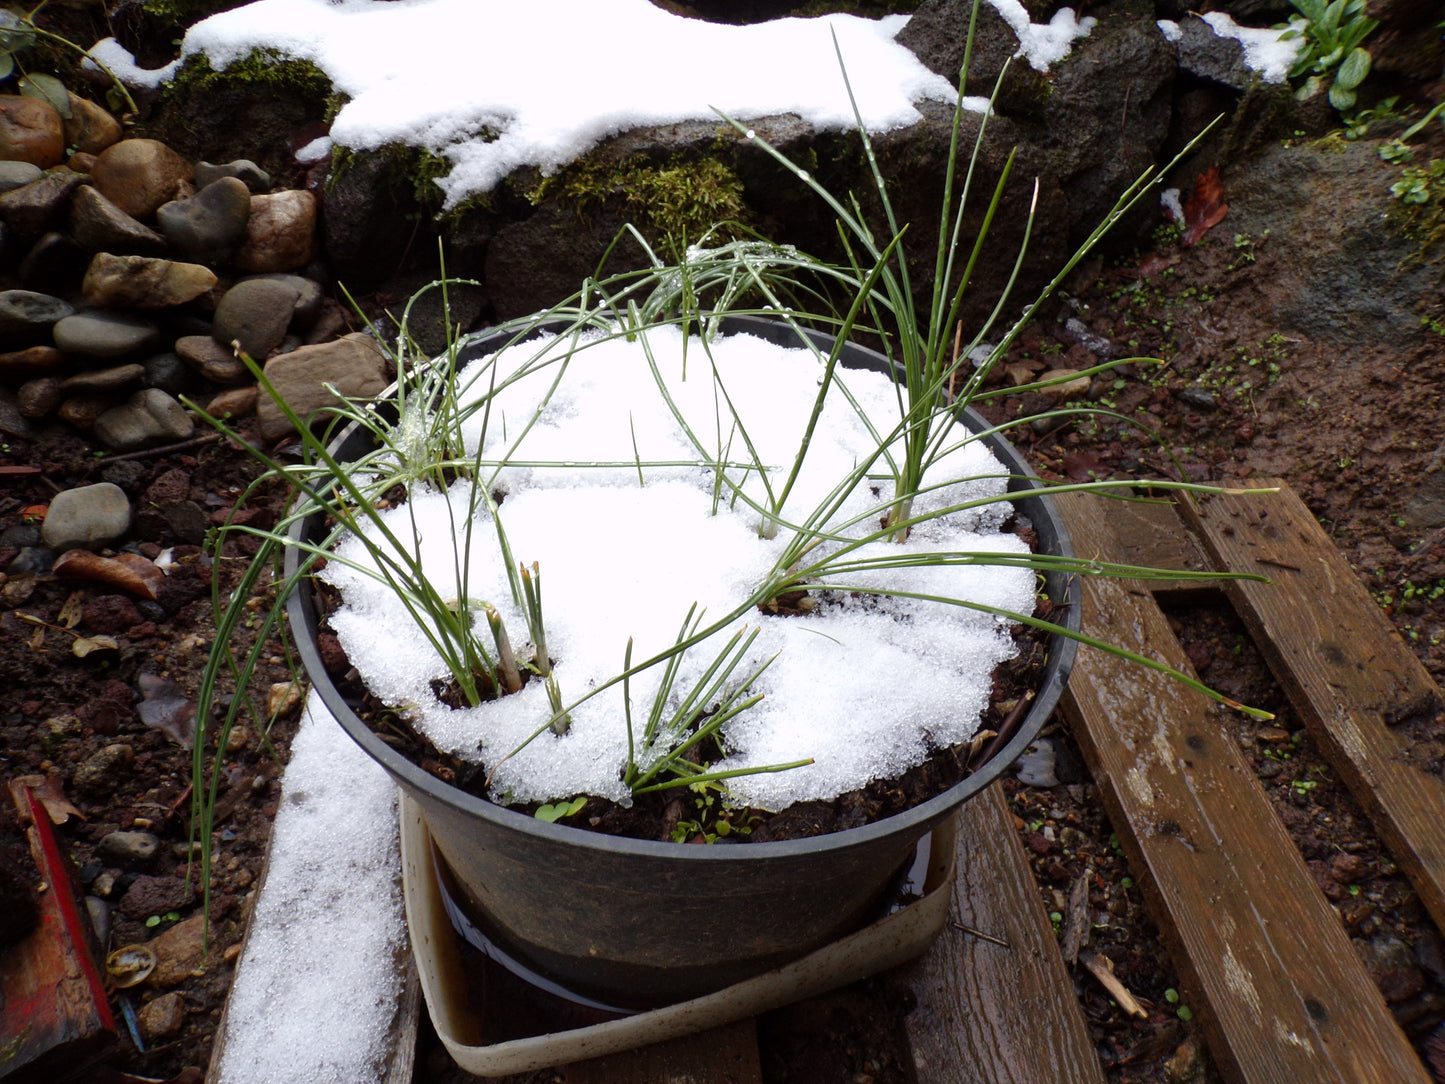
column 665, row 486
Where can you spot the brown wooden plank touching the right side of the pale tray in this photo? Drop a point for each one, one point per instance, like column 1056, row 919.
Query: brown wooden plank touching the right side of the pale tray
column 989, row 1012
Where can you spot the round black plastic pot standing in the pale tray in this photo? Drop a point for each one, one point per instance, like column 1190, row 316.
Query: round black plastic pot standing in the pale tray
column 637, row 923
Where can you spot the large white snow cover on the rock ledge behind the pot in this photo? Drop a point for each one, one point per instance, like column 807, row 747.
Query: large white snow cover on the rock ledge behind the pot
column 493, row 86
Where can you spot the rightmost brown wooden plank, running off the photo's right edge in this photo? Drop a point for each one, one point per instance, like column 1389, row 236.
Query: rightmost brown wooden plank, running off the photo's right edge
column 1345, row 667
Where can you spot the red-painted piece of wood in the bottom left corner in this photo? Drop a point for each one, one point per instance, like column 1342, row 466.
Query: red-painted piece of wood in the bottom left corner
column 54, row 1014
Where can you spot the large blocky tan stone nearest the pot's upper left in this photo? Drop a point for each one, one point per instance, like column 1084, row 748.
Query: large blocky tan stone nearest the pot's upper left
column 355, row 366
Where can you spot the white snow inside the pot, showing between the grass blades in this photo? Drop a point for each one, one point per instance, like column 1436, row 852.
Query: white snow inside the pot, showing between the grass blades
column 865, row 686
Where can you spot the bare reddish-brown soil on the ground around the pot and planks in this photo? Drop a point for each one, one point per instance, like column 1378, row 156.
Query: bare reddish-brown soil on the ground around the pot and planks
column 1355, row 429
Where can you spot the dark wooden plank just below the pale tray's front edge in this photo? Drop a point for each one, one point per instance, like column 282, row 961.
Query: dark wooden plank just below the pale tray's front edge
column 723, row 1056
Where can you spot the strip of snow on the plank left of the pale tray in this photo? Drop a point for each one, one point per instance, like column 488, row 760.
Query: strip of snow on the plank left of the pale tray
column 319, row 985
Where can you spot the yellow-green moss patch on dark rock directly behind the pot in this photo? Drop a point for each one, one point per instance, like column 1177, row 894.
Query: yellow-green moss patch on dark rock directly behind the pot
column 678, row 202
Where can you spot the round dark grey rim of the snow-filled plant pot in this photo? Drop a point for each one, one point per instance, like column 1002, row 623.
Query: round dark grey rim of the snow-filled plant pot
column 303, row 616
